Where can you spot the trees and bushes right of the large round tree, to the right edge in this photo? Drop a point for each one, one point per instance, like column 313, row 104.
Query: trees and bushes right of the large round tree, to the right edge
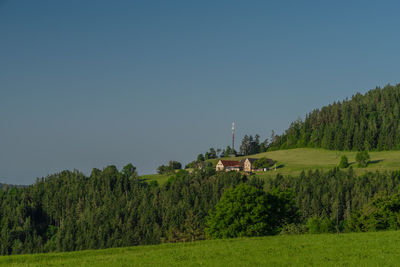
column 339, row 200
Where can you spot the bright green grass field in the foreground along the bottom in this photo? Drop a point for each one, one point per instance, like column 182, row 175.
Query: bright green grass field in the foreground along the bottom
column 354, row 249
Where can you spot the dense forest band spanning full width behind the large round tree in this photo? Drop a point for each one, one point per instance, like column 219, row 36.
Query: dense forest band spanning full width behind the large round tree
column 111, row 208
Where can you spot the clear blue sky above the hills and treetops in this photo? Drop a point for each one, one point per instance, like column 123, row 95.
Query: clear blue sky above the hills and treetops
column 85, row 84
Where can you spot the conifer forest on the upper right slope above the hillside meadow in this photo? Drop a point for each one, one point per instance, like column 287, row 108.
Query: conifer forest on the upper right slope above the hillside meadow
column 364, row 122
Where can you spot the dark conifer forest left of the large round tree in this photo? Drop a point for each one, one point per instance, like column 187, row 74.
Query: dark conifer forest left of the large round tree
column 69, row 211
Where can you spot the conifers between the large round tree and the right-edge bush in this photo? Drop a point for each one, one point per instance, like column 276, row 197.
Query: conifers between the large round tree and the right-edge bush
column 336, row 195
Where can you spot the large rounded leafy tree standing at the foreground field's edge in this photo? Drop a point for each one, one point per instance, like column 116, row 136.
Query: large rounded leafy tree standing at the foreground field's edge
column 248, row 211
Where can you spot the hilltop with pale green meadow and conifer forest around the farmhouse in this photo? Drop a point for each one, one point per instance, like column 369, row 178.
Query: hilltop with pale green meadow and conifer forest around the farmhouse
column 364, row 122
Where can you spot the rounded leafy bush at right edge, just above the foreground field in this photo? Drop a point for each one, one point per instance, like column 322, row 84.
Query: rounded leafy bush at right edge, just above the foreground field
column 382, row 213
